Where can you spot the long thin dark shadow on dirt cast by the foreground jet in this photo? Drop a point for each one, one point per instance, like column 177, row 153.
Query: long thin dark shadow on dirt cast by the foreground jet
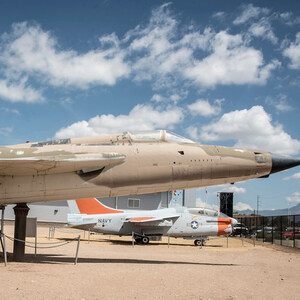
column 59, row 259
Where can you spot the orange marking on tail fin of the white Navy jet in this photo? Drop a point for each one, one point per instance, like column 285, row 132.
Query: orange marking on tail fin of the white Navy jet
column 92, row 206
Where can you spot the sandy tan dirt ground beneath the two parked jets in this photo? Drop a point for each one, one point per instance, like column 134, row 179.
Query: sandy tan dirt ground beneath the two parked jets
column 111, row 268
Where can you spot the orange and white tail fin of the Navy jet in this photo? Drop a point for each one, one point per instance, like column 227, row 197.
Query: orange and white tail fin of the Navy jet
column 90, row 206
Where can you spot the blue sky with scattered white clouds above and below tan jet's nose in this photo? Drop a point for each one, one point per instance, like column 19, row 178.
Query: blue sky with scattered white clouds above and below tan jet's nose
column 219, row 72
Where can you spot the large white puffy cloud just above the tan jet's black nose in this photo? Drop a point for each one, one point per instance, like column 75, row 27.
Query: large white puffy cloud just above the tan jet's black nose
column 252, row 128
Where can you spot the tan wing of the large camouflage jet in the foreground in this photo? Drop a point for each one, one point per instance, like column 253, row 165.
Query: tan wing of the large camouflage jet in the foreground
column 18, row 162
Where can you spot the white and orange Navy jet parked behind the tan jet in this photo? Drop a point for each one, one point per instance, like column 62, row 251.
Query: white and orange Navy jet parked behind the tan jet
column 191, row 223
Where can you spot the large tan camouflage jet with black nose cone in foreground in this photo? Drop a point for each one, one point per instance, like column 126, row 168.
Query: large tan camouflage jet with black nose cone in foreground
column 124, row 164
